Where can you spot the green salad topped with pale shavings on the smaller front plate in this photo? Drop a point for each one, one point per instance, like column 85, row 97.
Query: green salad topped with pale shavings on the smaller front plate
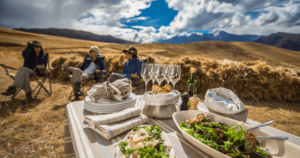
column 145, row 142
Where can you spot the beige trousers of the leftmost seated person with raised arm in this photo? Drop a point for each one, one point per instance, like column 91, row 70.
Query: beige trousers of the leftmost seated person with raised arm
column 22, row 79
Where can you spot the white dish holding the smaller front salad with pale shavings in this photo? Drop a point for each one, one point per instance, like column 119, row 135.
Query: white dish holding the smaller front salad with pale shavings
column 164, row 136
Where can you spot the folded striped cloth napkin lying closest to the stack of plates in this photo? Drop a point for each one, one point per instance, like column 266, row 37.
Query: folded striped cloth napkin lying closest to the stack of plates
column 96, row 120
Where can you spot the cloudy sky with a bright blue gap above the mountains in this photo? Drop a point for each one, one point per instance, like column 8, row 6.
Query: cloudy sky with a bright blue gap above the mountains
column 148, row 21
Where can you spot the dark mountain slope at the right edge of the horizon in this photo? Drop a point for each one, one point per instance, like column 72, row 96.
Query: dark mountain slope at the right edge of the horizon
column 282, row 40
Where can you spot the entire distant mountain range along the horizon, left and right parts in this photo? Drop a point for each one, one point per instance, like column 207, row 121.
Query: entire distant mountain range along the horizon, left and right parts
column 281, row 40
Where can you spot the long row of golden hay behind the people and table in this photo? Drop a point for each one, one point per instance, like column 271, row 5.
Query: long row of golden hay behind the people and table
column 253, row 80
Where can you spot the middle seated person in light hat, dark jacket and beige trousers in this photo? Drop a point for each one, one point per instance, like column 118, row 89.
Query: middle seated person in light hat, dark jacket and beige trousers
column 92, row 63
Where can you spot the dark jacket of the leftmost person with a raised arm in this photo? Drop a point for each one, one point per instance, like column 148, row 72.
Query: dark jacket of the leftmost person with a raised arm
column 30, row 58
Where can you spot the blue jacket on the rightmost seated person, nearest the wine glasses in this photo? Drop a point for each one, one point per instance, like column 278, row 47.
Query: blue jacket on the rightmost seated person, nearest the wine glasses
column 132, row 66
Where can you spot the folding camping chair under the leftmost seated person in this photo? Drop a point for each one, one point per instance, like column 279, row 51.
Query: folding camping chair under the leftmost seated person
column 40, row 79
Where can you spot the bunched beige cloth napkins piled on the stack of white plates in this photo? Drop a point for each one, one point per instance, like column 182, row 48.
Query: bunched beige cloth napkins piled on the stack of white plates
column 118, row 90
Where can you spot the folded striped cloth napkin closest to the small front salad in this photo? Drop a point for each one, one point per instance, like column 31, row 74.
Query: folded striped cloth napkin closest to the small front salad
column 112, row 130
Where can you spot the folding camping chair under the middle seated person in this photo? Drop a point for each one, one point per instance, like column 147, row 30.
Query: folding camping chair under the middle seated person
column 91, row 78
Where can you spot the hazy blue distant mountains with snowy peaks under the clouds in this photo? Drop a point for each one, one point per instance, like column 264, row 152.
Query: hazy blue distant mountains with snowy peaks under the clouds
column 217, row 35
